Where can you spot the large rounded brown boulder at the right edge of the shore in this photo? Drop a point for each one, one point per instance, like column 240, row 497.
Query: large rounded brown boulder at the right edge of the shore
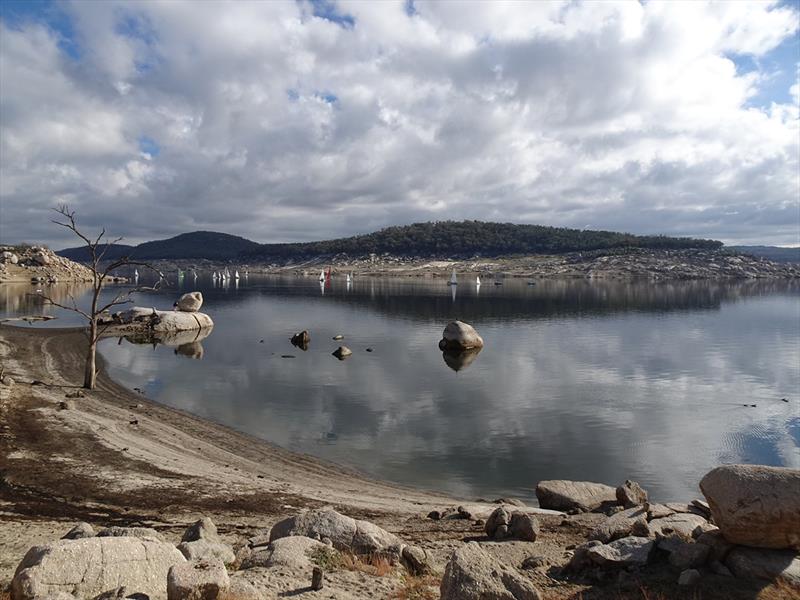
column 755, row 505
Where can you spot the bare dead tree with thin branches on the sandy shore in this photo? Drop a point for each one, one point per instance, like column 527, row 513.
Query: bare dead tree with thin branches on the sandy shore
column 97, row 248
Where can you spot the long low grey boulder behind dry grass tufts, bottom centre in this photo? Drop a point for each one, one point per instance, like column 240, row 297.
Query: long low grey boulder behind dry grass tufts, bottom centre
column 344, row 532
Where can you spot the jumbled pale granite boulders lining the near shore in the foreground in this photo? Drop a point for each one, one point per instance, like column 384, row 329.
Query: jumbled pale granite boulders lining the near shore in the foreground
column 135, row 562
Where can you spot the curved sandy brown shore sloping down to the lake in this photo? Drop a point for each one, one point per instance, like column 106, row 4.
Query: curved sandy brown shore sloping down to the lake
column 114, row 458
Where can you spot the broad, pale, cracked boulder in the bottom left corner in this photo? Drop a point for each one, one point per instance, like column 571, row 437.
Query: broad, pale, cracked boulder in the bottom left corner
column 91, row 566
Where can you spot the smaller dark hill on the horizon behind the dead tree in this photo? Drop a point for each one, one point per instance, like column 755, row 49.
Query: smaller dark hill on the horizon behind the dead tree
column 199, row 244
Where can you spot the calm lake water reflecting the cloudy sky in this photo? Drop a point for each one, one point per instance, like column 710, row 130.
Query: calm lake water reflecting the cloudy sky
column 578, row 380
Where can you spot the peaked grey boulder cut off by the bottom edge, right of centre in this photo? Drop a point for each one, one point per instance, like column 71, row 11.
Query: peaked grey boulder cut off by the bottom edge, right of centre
column 473, row 574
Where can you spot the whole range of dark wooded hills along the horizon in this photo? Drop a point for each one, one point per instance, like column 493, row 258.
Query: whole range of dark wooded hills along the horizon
column 438, row 239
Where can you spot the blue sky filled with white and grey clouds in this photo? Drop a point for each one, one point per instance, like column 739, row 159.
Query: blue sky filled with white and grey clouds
column 305, row 120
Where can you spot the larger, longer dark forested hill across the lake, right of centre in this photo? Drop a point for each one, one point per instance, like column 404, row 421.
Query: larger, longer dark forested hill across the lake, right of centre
column 472, row 238
